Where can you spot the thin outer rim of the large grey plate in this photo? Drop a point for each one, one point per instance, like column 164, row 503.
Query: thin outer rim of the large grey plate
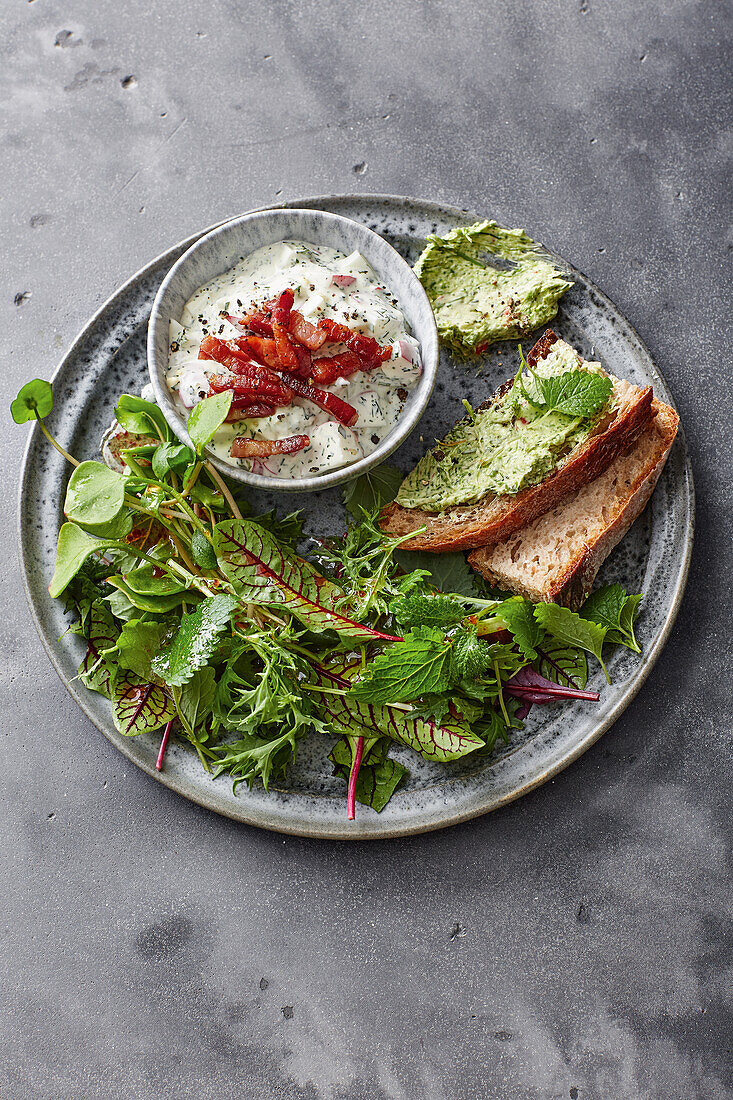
column 316, row 830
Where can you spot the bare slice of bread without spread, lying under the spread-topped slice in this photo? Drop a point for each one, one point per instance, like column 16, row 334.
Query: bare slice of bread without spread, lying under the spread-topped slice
column 556, row 558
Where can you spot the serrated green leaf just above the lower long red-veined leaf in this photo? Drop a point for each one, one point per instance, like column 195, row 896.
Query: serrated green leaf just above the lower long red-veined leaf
column 418, row 666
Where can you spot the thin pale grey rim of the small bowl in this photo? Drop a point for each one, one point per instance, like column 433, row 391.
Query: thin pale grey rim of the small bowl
column 315, row 482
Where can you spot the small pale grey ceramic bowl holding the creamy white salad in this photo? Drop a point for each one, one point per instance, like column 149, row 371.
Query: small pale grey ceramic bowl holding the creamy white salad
column 223, row 248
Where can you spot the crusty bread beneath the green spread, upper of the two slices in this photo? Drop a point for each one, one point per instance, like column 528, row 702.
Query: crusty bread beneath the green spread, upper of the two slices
column 495, row 519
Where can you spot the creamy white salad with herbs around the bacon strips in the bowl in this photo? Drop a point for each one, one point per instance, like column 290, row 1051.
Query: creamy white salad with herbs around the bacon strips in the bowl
column 326, row 284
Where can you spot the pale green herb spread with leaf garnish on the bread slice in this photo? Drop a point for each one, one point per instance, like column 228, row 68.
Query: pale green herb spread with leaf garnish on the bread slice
column 518, row 441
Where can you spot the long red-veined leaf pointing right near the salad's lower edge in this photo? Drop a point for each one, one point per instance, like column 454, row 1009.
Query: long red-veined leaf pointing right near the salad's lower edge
column 435, row 741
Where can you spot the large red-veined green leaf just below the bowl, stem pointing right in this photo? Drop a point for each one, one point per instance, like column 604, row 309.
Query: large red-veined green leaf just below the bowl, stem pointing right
column 266, row 573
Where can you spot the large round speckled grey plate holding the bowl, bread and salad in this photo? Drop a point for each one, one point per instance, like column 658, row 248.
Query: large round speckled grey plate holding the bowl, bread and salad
column 110, row 357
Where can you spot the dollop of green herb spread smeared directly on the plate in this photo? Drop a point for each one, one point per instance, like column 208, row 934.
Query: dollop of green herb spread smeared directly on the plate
column 487, row 283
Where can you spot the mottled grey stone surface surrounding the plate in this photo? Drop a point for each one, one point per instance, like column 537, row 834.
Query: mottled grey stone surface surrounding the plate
column 576, row 944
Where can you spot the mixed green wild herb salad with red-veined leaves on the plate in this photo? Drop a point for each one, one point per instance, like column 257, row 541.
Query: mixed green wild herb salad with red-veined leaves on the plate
column 213, row 626
